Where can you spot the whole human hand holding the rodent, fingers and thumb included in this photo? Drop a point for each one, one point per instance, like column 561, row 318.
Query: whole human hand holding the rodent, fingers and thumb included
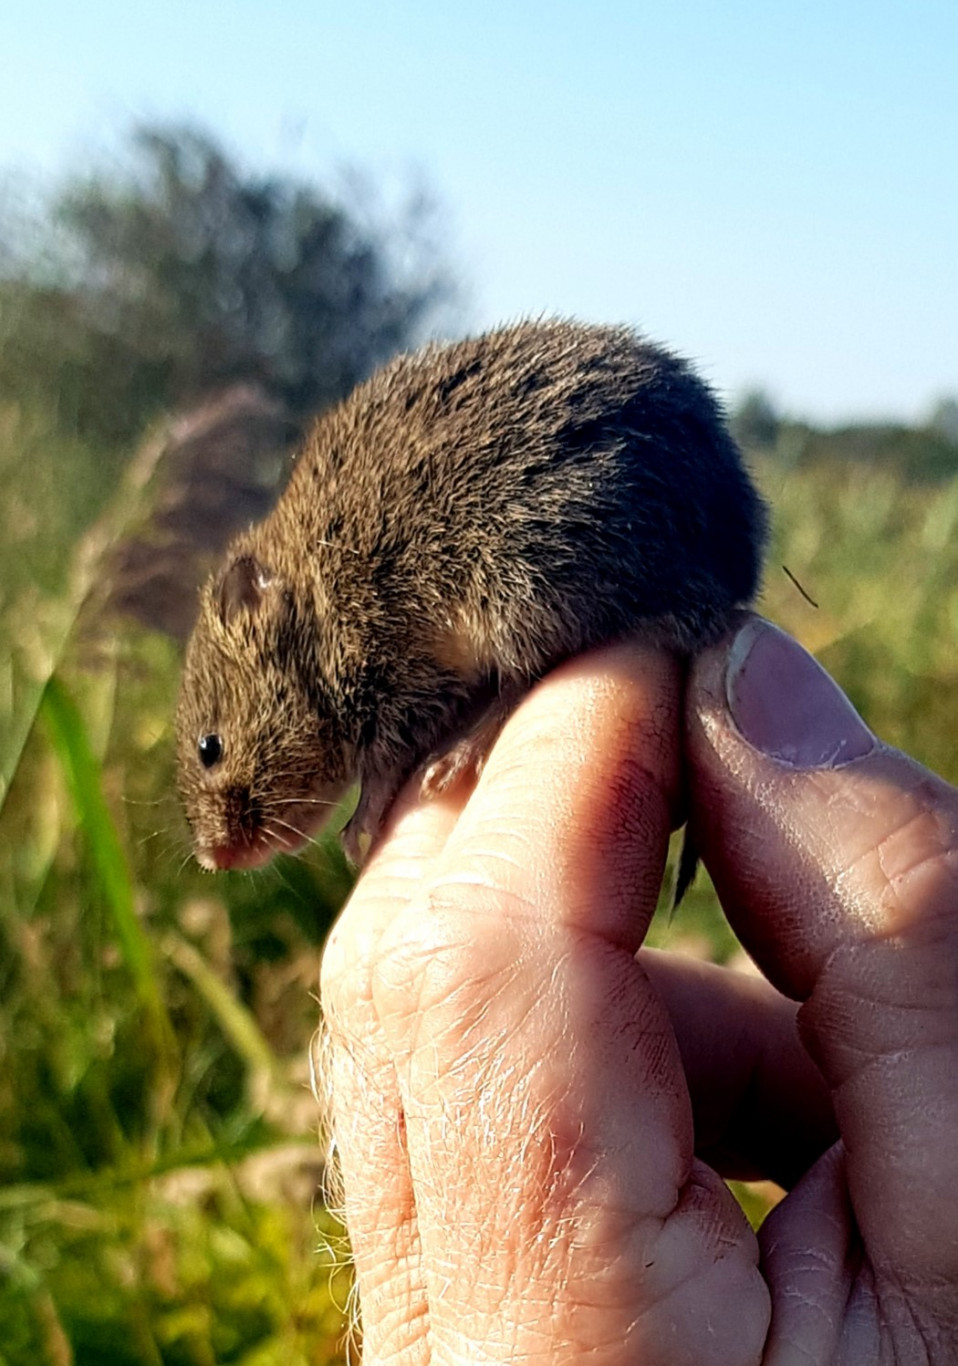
column 524, row 1110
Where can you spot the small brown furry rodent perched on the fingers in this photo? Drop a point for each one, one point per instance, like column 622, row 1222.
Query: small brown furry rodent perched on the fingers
column 468, row 518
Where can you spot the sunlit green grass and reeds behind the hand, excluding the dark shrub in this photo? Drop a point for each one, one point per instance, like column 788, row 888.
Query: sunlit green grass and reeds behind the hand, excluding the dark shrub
column 159, row 1156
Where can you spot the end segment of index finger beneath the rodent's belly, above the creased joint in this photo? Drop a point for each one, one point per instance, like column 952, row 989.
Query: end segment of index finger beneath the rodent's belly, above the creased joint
column 595, row 748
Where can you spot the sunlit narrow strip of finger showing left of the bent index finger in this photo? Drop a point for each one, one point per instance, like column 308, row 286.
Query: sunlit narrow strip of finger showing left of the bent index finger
column 359, row 1088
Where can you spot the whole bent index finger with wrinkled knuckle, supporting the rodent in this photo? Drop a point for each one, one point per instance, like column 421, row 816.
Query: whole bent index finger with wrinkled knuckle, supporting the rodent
column 558, row 1201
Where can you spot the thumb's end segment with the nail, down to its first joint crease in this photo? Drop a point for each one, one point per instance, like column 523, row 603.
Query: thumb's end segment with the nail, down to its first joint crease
column 815, row 833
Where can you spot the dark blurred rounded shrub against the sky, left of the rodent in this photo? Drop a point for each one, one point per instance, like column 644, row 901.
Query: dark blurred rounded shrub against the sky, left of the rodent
column 154, row 283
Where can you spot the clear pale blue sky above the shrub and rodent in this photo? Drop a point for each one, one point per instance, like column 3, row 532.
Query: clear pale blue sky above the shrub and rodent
column 771, row 188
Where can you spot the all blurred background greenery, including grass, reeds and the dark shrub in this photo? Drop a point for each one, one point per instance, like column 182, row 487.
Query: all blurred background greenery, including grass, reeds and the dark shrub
column 159, row 1166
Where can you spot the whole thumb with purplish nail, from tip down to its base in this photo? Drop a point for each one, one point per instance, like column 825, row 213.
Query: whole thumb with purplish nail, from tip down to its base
column 837, row 861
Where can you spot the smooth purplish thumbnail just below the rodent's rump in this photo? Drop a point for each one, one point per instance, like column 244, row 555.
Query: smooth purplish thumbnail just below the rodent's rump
column 786, row 706
